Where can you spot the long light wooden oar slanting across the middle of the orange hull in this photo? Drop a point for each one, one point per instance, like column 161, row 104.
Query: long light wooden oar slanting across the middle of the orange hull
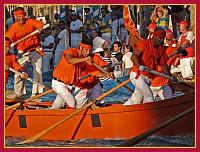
column 40, row 134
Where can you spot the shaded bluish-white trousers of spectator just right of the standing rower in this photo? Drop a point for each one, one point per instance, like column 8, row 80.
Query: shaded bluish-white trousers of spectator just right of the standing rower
column 46, row 61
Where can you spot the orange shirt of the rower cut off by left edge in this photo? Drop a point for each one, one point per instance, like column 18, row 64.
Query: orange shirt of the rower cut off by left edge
column 11, row 61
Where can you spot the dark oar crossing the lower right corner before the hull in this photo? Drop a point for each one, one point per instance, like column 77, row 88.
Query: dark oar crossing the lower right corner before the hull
column 137, row 139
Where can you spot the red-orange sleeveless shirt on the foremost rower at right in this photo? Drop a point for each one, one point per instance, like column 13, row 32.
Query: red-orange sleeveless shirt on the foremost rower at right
column 150, row 56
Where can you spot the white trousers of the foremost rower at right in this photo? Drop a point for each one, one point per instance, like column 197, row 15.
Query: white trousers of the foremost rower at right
column 142, row 89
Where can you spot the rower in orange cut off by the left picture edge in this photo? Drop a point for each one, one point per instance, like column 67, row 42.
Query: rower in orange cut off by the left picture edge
column 11, row 62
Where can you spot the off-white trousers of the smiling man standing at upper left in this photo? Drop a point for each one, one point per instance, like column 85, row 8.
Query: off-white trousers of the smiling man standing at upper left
column 25, row 58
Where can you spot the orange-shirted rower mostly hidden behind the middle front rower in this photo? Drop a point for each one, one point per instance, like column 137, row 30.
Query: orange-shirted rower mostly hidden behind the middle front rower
column 91, row 88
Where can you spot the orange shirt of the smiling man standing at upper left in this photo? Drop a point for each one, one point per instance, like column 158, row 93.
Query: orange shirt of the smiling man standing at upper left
column 16, row 32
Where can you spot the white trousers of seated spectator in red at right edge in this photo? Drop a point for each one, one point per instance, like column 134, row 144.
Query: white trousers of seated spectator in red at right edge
column 186, row 65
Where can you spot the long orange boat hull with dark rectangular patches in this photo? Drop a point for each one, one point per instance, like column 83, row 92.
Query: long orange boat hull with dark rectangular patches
column 113, row 121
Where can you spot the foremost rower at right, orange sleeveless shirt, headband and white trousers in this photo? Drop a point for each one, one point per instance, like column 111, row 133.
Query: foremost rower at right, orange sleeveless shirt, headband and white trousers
column 147, row 55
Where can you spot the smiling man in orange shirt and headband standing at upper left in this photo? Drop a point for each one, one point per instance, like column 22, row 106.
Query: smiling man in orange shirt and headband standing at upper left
column 28, row 50
